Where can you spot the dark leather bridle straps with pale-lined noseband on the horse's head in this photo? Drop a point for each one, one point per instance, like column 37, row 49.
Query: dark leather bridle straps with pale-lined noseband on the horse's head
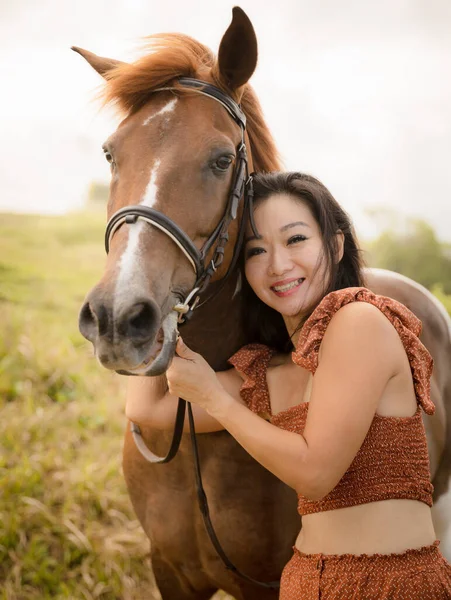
column 241, row 188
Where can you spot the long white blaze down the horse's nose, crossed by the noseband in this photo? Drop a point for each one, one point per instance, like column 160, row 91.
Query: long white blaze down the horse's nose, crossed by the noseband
column 130, row 264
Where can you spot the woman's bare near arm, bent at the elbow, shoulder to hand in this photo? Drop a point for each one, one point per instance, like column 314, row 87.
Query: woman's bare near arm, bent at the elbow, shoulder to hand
column 360, row 353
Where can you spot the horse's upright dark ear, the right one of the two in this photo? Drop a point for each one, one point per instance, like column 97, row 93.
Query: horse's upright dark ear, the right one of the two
column 237, row 55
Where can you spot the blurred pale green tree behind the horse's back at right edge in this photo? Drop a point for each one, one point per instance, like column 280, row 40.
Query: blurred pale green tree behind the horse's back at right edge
column 415, row 252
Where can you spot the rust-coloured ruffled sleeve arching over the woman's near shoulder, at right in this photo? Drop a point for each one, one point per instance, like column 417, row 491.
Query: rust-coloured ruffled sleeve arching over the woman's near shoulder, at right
column 403, row 320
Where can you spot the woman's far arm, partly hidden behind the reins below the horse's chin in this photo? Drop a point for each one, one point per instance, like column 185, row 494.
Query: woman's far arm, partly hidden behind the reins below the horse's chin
column 150, row 403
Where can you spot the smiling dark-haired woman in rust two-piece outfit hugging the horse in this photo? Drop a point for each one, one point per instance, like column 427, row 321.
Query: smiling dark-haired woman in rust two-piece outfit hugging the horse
column 338, row 418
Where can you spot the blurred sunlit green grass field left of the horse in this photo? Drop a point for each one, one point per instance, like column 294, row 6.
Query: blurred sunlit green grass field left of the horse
column 66, row 525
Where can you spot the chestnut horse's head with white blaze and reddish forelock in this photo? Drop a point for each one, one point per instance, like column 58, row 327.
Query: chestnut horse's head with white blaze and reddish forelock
column 174, row 156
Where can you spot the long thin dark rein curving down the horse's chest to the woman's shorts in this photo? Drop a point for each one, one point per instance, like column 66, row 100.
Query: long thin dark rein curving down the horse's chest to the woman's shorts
column 204, row 509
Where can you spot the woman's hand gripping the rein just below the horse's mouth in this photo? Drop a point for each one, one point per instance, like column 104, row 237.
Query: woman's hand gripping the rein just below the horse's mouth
column 190, row 377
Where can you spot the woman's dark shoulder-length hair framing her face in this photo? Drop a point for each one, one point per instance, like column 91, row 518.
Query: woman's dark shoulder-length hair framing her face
column 262, row 323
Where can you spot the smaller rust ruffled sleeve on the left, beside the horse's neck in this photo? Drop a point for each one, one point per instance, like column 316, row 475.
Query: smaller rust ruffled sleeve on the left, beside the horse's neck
column 252, row 361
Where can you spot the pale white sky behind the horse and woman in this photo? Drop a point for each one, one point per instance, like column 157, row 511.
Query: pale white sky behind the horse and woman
column 356, row 92
